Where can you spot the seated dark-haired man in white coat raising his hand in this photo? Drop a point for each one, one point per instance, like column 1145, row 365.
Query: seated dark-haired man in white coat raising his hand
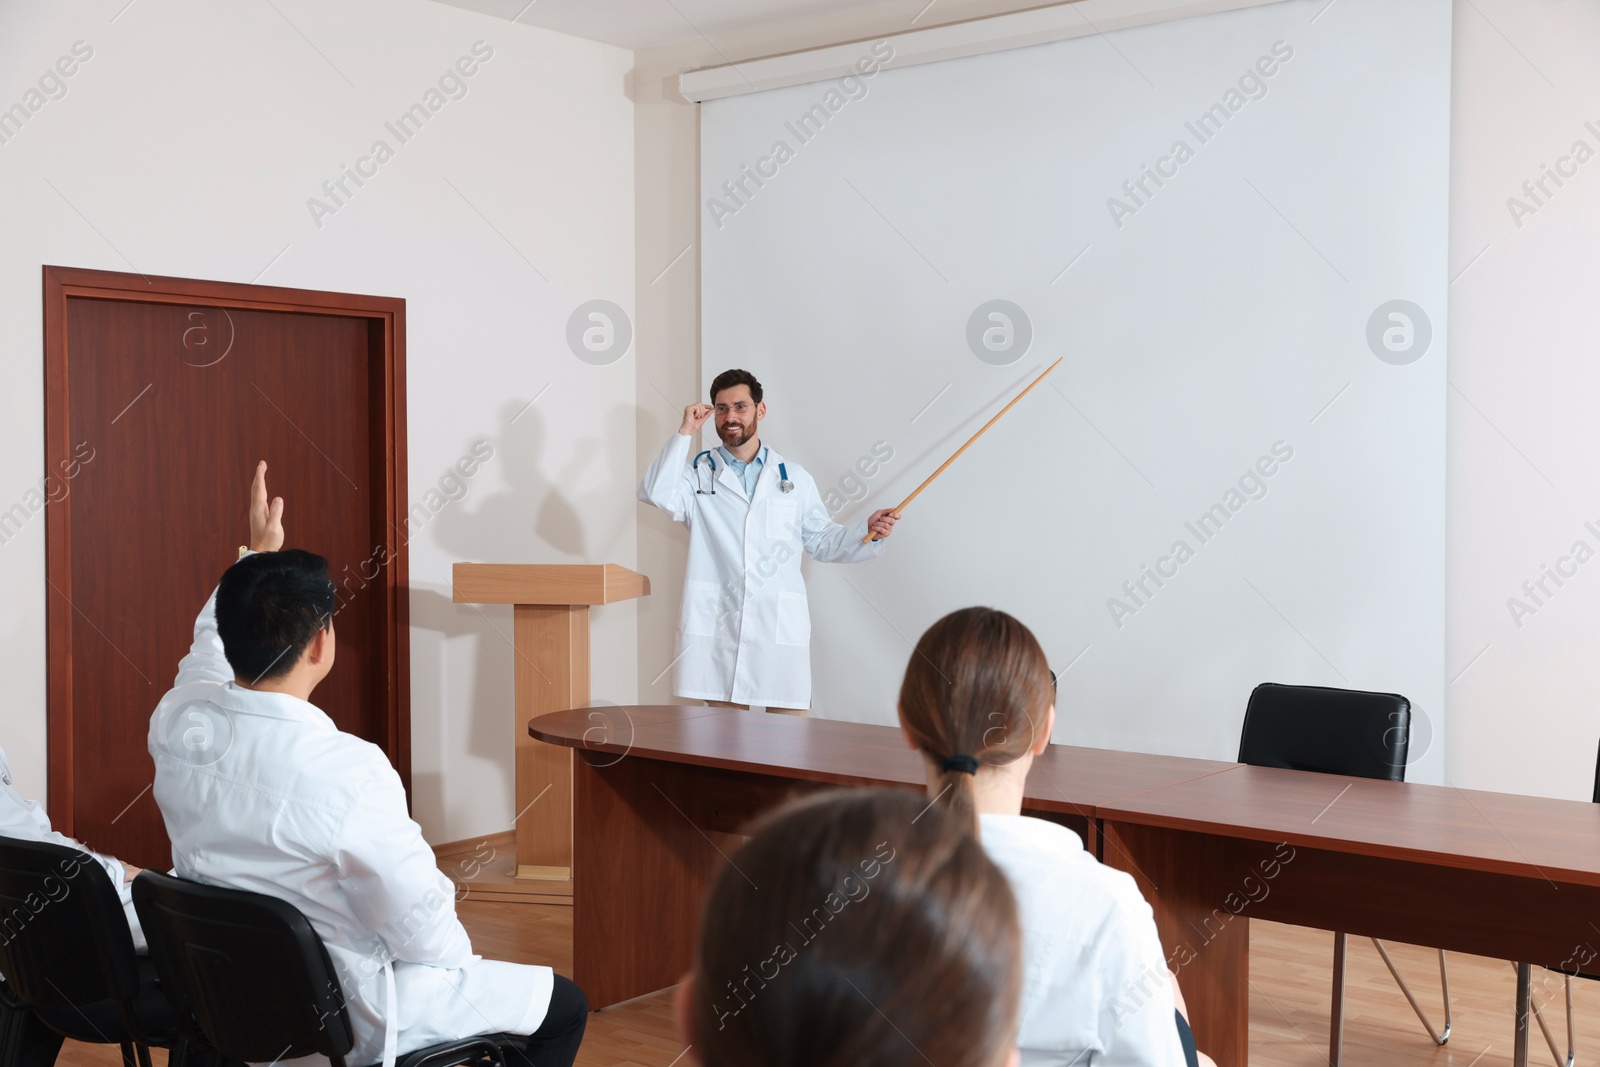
column 263, row 793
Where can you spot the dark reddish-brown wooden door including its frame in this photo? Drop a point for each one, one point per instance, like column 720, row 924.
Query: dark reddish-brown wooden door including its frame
column 161, row 398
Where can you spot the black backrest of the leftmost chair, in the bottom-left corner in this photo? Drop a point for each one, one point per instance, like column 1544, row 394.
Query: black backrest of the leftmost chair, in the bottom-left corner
column 65, row 938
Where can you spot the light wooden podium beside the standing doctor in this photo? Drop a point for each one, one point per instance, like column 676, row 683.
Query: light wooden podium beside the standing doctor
column 551, row 637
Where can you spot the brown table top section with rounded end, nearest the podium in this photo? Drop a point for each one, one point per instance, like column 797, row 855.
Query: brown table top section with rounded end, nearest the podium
column 1066, row 778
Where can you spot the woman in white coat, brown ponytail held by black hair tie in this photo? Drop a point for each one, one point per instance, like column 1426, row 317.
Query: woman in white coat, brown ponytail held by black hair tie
column 978, row 701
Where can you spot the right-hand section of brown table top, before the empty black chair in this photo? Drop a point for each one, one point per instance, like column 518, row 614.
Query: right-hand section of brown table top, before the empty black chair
column 1438, row 825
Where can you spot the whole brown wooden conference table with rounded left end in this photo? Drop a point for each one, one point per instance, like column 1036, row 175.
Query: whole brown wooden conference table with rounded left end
column 1210, row 845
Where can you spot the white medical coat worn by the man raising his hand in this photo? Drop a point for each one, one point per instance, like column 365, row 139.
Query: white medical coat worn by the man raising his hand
column 263, row 793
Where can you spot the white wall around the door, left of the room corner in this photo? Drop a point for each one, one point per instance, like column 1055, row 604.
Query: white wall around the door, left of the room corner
column 190, row 143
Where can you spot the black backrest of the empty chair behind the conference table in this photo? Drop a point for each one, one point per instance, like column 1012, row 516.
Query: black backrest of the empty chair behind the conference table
column 1335, row 732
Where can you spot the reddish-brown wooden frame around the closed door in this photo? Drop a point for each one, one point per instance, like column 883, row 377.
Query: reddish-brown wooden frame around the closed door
column 388, row 319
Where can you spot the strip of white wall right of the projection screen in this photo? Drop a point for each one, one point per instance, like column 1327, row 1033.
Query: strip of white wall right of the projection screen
column 1524, row 692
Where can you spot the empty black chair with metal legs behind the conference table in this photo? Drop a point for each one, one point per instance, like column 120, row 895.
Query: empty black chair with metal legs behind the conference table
column 1338, row 732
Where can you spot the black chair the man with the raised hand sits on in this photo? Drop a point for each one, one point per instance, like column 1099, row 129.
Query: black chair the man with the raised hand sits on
column 252, row 980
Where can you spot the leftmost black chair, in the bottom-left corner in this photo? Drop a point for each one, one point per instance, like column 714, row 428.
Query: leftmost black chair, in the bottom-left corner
column 68, row 956
